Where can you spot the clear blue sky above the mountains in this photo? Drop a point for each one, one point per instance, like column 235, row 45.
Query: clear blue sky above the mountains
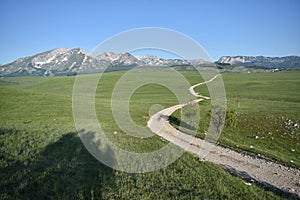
column 221, row 27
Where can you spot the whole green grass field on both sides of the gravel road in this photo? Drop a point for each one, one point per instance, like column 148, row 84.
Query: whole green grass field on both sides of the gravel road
column 41, row 155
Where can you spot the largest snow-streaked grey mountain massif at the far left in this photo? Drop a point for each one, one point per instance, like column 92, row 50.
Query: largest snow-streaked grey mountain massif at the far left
column 59, row 61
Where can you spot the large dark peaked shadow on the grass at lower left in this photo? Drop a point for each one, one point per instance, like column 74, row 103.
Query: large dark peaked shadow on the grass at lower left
column 64, row 170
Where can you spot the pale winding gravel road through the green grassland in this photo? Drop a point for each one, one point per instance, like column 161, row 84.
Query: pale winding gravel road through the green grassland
column 280, row 178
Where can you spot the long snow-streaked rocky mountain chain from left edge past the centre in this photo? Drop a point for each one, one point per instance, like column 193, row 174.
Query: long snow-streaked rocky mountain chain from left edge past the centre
column 62, row 61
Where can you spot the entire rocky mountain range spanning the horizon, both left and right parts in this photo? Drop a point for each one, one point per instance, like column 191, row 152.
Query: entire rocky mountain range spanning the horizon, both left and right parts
column 63, row 61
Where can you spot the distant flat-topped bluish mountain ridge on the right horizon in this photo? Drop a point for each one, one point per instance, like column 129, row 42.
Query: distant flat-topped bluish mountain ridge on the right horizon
column 261, row 61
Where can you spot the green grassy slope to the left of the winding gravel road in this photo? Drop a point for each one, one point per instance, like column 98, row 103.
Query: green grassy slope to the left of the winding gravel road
column 42, row 156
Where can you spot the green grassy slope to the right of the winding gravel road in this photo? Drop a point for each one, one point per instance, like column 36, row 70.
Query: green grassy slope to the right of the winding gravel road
column 267, row 102
